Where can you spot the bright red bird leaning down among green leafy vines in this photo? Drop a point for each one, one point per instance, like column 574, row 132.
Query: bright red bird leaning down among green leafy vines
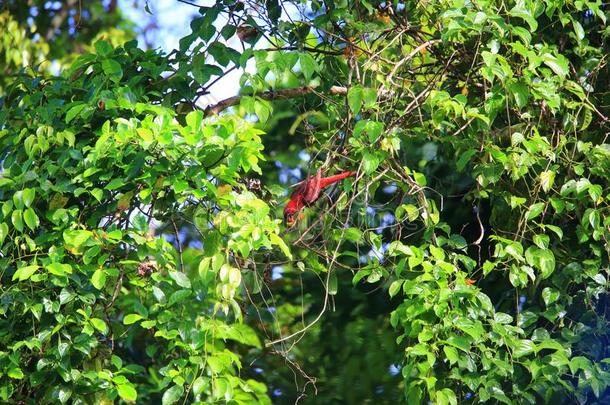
column 307, row 193
